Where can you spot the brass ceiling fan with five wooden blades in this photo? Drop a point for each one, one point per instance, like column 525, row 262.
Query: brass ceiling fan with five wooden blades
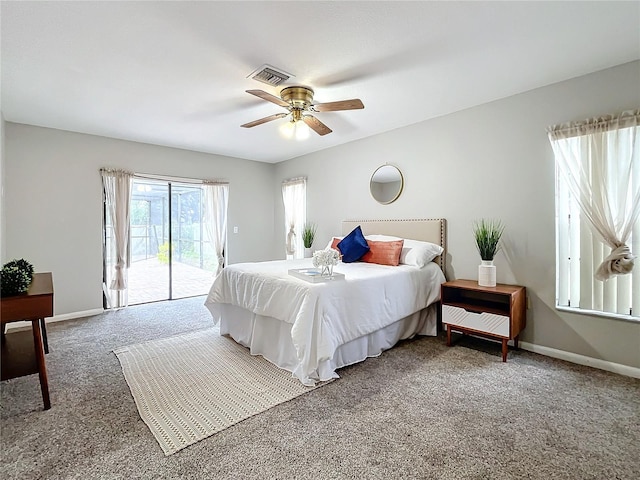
column 298, row 100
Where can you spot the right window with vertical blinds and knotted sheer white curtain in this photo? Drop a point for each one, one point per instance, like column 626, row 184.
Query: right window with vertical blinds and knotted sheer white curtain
column 597, row 207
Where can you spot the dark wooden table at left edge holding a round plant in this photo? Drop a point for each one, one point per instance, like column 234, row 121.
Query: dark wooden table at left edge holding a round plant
column 34, row 305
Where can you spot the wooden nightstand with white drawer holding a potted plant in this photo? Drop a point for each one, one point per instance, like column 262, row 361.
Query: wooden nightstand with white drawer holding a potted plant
column 495, row 312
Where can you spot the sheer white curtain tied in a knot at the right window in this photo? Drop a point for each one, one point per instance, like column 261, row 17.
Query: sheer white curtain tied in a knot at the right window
column 597, row 158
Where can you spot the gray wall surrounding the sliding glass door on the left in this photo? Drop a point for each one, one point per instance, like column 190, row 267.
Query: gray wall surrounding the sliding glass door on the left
column 53, row 194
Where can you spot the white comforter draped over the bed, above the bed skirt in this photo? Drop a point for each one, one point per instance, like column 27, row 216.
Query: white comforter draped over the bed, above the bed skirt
column 326, row 315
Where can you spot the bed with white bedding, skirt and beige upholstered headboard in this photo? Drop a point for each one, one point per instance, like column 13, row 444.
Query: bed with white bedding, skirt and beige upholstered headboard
column 313, row 329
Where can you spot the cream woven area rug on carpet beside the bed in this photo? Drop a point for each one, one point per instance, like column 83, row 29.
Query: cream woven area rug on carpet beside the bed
column 190, row 386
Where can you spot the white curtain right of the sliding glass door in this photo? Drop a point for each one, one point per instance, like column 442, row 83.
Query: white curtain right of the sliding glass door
column 216, row 199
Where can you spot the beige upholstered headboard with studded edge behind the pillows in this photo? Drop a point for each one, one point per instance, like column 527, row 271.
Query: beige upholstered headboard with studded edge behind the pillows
column 432, row 230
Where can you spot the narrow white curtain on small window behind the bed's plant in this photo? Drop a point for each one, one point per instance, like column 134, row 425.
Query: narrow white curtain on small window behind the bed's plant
column 294, row 196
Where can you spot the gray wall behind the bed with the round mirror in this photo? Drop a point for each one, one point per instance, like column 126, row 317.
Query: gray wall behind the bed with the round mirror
column 491, row 161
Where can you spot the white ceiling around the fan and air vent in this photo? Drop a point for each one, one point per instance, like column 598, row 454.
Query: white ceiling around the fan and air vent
column 174, row 73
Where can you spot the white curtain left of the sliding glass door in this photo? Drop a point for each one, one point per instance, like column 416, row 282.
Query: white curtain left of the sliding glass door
column 117, row 195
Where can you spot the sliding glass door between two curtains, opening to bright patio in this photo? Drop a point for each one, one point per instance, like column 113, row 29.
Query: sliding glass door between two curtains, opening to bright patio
column 170, row 256
